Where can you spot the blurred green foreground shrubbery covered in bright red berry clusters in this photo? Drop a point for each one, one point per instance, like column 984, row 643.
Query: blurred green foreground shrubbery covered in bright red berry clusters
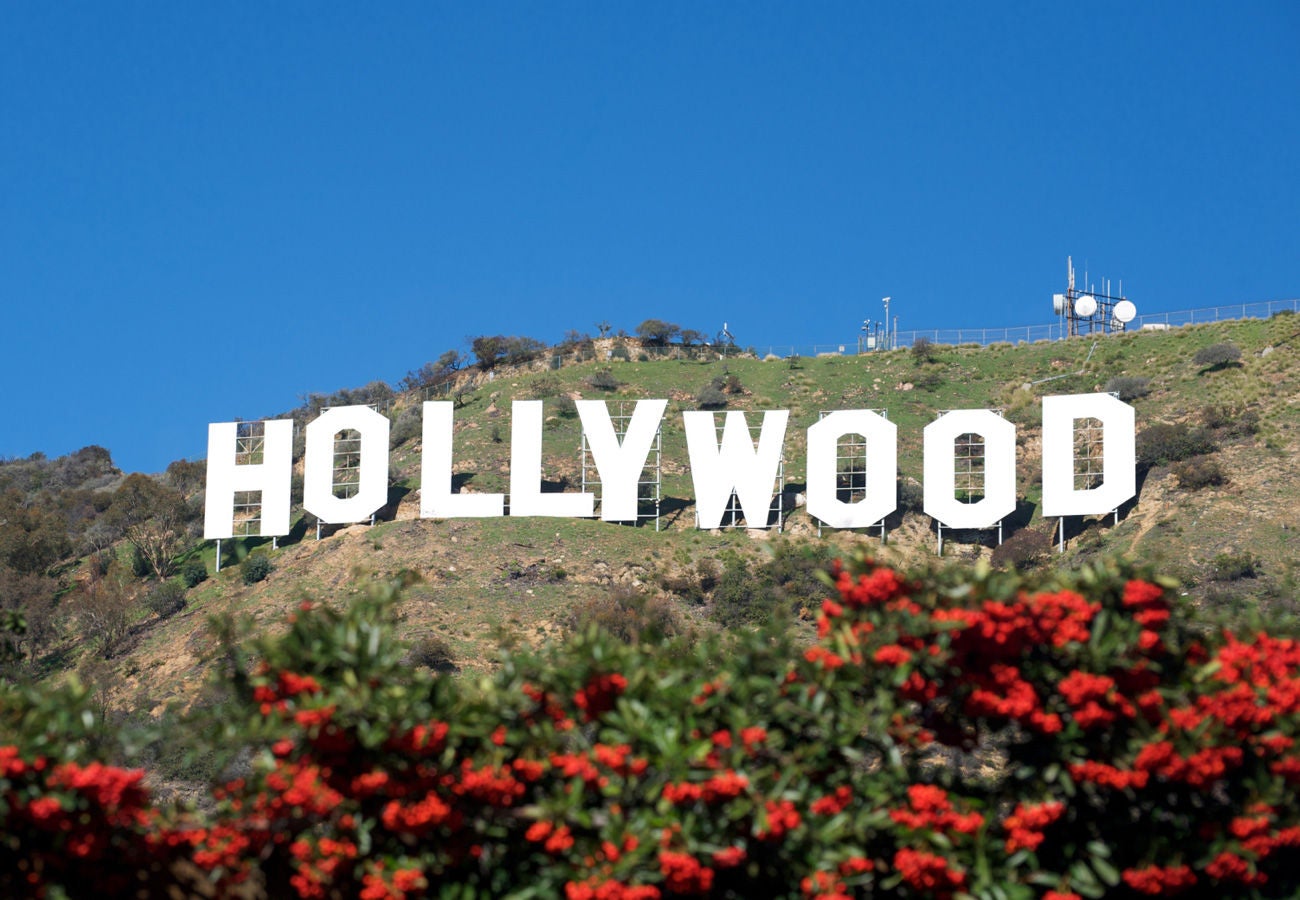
column 960, row 735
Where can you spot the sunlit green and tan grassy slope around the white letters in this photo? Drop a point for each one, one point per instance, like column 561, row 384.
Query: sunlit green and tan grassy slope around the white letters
column 521, row 576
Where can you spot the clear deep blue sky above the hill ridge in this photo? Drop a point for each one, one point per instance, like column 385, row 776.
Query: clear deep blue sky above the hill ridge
column 211, row 210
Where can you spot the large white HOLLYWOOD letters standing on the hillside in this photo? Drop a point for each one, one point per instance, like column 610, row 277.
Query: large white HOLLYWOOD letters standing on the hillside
column 718, row 468
